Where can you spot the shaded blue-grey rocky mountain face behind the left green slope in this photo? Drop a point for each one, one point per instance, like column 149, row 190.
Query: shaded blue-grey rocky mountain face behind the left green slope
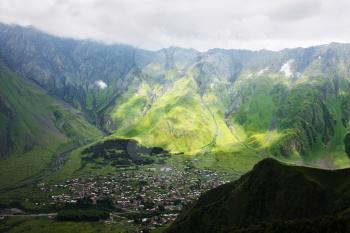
column 73, row 70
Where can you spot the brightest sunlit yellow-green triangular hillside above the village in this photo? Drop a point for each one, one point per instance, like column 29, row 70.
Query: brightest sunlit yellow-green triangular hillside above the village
column 177, row 120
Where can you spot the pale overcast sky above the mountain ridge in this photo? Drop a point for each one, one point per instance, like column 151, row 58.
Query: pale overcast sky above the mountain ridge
column 200, row 24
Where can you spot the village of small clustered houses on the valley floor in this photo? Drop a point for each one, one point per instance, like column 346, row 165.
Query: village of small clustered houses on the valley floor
column 148, row 197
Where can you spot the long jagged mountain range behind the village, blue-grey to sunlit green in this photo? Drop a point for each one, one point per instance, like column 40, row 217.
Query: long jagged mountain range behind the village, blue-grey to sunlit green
column 292, row 104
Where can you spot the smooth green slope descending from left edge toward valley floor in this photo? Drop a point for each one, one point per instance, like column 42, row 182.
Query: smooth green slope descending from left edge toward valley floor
column 34, row 129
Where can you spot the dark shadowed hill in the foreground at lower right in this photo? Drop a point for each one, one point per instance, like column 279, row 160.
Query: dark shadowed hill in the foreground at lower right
column 273, row 197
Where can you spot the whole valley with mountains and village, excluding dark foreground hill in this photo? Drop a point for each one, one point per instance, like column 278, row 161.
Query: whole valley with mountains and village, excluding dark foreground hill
column 110, row 138
